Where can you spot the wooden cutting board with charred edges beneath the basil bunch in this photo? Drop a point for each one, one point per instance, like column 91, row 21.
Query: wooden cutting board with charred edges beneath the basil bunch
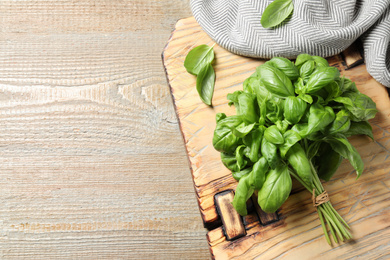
column 295, row 232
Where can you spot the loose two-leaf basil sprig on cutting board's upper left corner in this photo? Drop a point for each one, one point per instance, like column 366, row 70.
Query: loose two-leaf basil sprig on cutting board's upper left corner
column 198, row 62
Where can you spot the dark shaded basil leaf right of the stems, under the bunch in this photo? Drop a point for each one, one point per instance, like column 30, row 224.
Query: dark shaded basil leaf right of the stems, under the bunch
column 328, row 161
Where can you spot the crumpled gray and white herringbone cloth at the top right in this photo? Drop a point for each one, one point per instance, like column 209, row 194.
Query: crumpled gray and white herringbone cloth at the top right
column 317, row 27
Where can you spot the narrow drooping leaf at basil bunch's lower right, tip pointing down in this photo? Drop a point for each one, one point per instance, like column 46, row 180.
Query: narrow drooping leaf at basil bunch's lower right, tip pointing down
column 342, row 146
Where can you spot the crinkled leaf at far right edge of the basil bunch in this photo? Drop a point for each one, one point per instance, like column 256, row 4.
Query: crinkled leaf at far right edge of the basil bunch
column 362, row 108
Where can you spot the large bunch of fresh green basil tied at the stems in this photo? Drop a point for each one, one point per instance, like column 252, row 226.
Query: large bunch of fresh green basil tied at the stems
column 292, row 120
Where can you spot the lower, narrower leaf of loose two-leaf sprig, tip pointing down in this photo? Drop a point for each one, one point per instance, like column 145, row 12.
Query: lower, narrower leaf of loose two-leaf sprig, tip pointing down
column 205, row 84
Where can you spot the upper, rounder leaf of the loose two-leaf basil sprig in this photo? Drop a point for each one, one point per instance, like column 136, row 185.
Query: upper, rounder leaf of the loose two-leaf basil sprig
column 198, row 58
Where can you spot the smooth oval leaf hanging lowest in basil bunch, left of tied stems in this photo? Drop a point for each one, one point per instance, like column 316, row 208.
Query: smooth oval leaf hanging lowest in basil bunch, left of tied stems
column 275, row 190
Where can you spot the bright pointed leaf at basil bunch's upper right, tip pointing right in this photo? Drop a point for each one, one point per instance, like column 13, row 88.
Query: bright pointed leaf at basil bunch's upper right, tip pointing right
column 321, row 77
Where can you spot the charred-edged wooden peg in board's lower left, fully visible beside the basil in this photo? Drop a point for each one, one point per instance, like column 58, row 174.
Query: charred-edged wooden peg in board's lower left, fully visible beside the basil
column 231, row 220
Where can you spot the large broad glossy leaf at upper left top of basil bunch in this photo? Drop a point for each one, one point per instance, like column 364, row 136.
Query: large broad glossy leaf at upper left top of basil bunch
column 275, row 81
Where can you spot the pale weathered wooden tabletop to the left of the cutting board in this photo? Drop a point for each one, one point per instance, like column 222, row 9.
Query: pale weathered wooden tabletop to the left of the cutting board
column 92, row 163
